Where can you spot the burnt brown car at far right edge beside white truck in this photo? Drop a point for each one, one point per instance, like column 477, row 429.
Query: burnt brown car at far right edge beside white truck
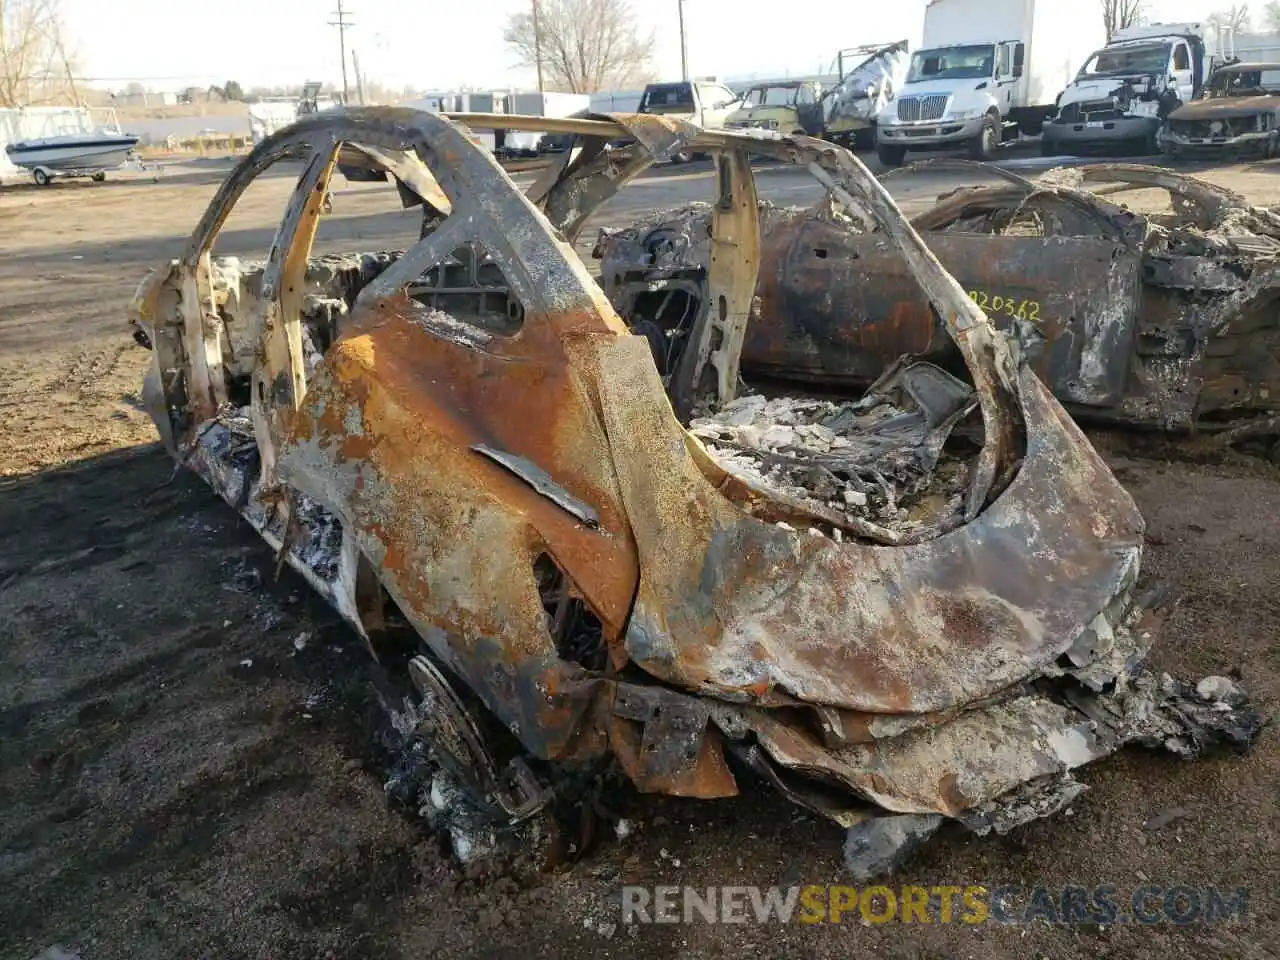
column 1237, row 117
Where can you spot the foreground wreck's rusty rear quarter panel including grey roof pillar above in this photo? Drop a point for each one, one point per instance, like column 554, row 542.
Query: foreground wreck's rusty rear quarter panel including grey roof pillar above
column 387, row 436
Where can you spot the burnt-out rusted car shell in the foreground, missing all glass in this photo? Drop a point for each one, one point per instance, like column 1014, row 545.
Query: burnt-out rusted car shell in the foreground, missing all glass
column 467, row 436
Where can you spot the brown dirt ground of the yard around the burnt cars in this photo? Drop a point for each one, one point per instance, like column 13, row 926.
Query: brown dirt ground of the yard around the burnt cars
column 188, row 762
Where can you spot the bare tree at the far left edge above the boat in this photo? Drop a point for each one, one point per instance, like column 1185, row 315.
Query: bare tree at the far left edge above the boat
column 35, row 66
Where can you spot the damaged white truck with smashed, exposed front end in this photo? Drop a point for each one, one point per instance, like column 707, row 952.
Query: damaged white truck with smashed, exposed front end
column 1126, row 90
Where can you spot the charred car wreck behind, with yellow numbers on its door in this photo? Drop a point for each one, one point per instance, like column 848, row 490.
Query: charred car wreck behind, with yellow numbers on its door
column 1159, row 322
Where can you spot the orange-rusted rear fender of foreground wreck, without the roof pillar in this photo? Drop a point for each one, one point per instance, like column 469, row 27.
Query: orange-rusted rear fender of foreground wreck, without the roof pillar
column 387, row 435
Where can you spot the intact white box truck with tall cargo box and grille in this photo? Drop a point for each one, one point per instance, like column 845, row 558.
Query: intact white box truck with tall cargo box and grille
column 986, row 71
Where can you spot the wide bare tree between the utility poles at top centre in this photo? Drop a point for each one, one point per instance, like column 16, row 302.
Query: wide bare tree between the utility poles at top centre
column 587, row 45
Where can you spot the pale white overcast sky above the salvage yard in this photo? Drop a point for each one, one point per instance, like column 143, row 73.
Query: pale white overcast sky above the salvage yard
column 444, row 44
